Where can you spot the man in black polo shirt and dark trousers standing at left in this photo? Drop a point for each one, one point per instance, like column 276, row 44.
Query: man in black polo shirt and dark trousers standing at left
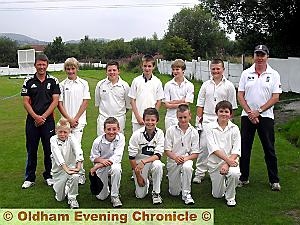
column 40, row 97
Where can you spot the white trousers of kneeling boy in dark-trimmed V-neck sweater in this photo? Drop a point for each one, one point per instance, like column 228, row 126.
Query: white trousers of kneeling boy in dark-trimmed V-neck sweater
column 155, row 168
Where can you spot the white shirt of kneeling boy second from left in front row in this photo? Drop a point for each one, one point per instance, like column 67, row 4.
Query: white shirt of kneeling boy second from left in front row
column 108, row 150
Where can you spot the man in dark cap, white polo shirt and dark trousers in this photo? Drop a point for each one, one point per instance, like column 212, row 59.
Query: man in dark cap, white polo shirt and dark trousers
column 258, row 92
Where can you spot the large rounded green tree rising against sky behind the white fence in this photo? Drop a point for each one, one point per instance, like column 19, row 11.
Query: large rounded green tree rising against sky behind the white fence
column 198, row 27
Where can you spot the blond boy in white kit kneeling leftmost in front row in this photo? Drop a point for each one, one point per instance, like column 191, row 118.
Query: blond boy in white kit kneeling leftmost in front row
column 67, row 158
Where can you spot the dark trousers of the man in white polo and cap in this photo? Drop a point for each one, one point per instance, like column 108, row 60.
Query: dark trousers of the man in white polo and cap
column 265, row 130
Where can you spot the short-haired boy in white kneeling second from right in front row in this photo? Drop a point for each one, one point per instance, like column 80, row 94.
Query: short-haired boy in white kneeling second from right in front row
column 181, row 147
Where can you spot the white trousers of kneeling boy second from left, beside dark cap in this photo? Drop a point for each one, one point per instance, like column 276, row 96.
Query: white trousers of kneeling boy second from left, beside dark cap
column 115, row 172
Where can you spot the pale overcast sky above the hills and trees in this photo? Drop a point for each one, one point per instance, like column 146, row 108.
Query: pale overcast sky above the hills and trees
column 73, row 19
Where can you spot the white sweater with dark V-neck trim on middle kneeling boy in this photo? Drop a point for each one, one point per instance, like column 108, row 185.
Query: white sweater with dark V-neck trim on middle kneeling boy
column 140, row 148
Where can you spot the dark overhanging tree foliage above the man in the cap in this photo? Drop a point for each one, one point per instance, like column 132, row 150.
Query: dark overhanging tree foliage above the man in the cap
column 263, row 21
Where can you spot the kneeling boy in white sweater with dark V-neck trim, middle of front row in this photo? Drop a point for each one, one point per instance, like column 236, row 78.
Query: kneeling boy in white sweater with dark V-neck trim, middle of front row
column 145, row 148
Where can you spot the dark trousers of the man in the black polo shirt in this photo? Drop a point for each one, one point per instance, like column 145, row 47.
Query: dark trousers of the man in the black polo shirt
column 33, row 136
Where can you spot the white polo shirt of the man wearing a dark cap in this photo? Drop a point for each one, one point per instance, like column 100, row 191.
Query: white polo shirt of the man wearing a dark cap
column 258, row 90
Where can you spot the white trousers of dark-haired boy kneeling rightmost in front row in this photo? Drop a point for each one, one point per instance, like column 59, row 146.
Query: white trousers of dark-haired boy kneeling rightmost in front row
column 225, row 184
